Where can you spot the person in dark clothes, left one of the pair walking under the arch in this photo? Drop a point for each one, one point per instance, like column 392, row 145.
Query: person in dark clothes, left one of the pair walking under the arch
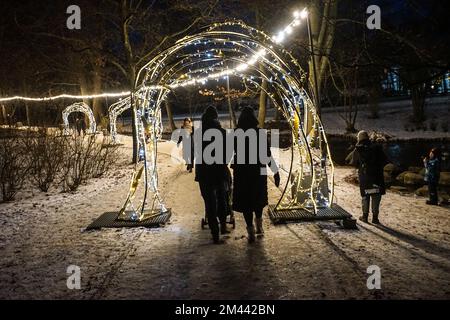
column 213, row 178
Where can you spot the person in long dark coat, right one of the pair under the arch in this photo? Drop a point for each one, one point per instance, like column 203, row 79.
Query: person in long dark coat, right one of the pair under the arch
column 250, row 177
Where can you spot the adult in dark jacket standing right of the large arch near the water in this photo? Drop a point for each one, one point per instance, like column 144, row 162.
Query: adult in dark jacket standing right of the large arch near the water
column 370, row 160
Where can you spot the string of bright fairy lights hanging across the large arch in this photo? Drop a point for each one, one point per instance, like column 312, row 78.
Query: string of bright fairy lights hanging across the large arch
column 260, row 54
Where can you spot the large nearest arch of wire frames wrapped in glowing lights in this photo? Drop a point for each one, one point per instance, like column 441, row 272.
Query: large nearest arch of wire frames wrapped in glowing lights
column 232, row 49
